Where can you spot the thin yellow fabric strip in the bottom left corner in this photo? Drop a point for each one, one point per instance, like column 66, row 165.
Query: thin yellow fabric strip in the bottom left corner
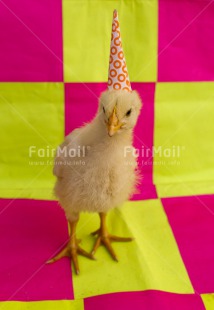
column 43, row 305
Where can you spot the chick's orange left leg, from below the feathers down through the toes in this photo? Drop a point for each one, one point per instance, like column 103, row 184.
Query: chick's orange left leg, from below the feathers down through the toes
column 72, row 249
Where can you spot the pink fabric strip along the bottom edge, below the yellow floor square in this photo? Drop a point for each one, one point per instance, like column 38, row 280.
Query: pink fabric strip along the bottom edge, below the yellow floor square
column 149, row 300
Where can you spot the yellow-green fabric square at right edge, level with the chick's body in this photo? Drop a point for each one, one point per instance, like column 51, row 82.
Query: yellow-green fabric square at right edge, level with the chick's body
column 184, row 119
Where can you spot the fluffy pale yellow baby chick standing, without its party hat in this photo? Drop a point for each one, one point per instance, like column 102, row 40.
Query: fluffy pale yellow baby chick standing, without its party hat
column 108, row 176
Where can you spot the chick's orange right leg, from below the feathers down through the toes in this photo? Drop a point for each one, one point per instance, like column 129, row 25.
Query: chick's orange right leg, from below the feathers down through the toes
column 105, row 238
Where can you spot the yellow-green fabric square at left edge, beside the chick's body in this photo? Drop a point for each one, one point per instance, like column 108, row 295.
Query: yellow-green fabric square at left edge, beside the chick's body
column 32, row 114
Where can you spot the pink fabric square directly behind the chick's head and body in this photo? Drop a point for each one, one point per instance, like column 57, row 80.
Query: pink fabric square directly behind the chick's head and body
column 81, row 102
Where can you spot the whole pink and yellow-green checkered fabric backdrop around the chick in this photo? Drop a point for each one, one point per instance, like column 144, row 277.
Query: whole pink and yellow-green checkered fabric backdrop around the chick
column 53, row 66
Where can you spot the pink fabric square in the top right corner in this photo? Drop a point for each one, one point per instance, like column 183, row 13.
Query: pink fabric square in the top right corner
column 186, row 38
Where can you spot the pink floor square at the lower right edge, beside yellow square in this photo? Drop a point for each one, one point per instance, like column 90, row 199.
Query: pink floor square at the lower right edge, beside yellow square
column 192, row 222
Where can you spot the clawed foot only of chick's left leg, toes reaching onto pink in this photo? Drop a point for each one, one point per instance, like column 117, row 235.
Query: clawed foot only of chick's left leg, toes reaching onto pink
column 71, row 250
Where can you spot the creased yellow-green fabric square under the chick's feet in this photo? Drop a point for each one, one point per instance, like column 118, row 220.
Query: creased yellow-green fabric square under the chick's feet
column 152, row 261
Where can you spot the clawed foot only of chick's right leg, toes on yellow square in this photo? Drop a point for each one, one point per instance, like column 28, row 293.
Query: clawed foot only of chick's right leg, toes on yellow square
column 105, row 239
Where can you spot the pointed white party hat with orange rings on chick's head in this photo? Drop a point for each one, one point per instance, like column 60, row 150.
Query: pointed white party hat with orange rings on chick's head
column 118, row 77
